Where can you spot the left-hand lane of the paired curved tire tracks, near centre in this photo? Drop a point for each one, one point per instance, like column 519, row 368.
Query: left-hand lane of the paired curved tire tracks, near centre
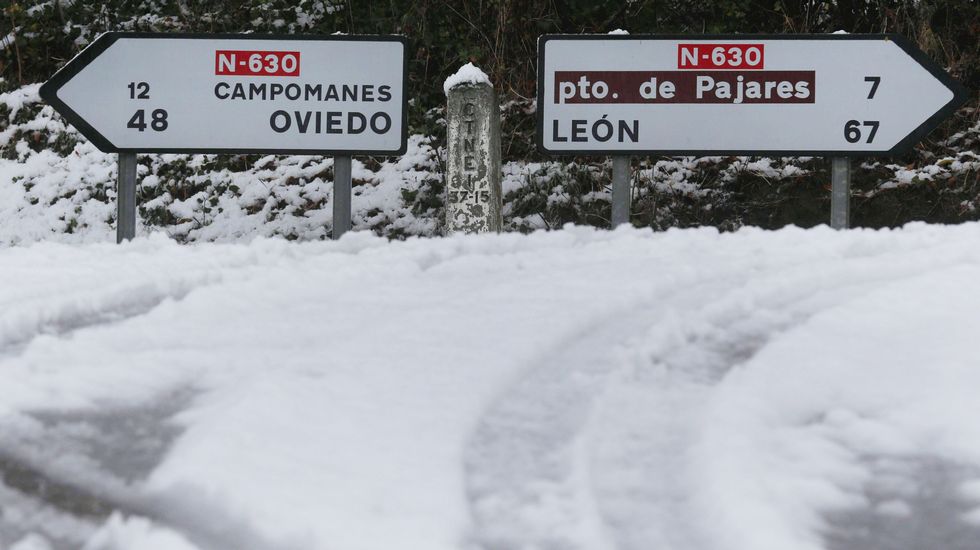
column 528, row 464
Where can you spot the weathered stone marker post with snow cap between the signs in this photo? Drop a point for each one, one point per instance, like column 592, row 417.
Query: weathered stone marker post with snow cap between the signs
column 473, row 196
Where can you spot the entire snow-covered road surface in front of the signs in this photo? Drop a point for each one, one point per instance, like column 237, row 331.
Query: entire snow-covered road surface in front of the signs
column 579, row 389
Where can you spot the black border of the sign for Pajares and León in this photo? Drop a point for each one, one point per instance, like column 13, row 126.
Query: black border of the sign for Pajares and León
column 960, row 95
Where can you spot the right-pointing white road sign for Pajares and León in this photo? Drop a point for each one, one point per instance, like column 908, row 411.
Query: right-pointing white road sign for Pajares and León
column 828, row 95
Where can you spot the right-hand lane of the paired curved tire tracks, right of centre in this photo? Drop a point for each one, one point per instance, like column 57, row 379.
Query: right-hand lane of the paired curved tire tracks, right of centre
column 644, row 482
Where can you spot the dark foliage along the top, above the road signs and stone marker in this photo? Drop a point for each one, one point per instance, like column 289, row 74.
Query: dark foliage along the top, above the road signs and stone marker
column 499, row 35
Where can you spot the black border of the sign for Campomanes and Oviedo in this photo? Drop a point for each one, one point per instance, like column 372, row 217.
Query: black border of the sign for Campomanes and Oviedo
column 49, row 91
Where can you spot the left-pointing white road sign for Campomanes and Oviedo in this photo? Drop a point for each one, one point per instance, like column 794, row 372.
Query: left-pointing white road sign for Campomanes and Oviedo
column 152, row 92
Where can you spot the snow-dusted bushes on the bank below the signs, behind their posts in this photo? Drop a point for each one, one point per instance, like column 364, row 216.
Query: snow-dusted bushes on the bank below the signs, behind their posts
column 55, row 185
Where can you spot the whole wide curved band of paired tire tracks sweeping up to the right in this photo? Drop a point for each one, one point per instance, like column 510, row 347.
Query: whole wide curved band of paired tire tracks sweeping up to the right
column 590, row 449
